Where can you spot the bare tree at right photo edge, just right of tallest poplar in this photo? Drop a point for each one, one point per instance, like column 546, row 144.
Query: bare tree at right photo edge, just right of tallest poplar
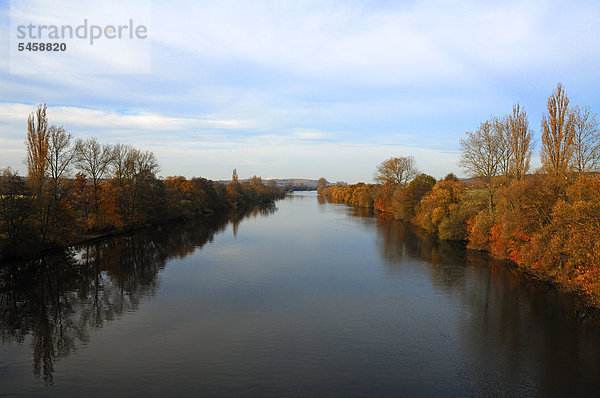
column 586, row 140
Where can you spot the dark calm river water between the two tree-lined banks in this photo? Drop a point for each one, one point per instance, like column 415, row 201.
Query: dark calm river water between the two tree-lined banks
column 311, row 299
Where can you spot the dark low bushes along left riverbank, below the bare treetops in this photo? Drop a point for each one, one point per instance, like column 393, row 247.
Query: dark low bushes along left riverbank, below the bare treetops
column 176, row 199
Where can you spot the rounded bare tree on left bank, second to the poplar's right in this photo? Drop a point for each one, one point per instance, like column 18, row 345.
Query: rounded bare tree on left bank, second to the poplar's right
column 93, row 159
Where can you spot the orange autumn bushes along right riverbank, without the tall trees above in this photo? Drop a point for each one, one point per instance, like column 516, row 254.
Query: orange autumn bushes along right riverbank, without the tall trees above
column 547, row 227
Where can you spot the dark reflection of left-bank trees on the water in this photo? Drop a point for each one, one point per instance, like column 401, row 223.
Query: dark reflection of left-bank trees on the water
column 56, row 301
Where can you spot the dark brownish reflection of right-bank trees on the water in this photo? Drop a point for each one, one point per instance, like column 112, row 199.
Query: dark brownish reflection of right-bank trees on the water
column 531, row 335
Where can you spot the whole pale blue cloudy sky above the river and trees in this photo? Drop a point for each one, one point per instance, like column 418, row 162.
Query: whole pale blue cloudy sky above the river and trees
column 299, row 89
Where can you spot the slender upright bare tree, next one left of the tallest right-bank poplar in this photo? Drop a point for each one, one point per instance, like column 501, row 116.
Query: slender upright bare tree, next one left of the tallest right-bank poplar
column 520, row 142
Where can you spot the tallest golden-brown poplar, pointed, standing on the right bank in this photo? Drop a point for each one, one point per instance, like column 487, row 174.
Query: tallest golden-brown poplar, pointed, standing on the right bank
column 558, row 133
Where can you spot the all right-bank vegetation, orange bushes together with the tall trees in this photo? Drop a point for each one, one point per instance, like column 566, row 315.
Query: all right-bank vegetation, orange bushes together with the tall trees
column 546, row 222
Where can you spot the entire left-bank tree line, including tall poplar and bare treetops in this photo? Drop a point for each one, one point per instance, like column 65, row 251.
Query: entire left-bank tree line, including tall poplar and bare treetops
column 77, row 188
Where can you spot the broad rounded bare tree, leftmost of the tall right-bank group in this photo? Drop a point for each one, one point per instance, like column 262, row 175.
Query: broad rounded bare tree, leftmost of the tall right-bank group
column 481, row 155
